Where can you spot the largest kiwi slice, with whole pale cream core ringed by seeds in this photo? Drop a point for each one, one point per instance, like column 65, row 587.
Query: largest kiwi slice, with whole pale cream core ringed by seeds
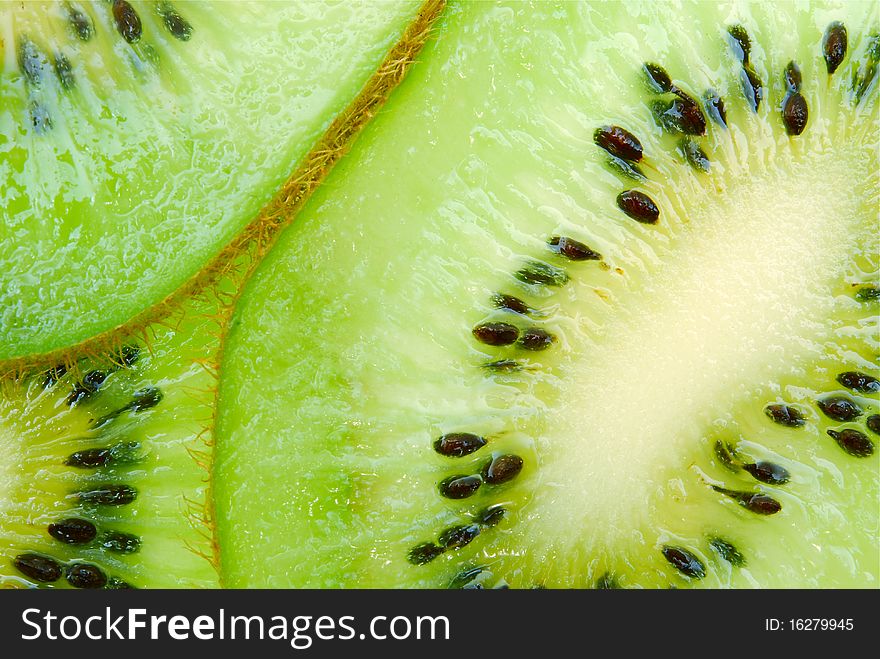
column 583, row 308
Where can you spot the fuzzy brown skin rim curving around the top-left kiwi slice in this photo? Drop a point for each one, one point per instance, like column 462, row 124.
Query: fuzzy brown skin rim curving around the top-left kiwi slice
column 238, row 259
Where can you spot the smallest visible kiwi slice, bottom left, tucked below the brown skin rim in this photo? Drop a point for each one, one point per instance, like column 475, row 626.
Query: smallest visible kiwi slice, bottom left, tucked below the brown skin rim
column 105, row 477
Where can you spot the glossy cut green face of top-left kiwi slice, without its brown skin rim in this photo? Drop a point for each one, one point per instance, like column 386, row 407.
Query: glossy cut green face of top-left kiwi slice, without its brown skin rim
column 132, row 151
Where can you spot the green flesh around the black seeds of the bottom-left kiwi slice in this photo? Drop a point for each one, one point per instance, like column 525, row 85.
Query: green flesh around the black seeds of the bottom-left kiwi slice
column 39, row 430
